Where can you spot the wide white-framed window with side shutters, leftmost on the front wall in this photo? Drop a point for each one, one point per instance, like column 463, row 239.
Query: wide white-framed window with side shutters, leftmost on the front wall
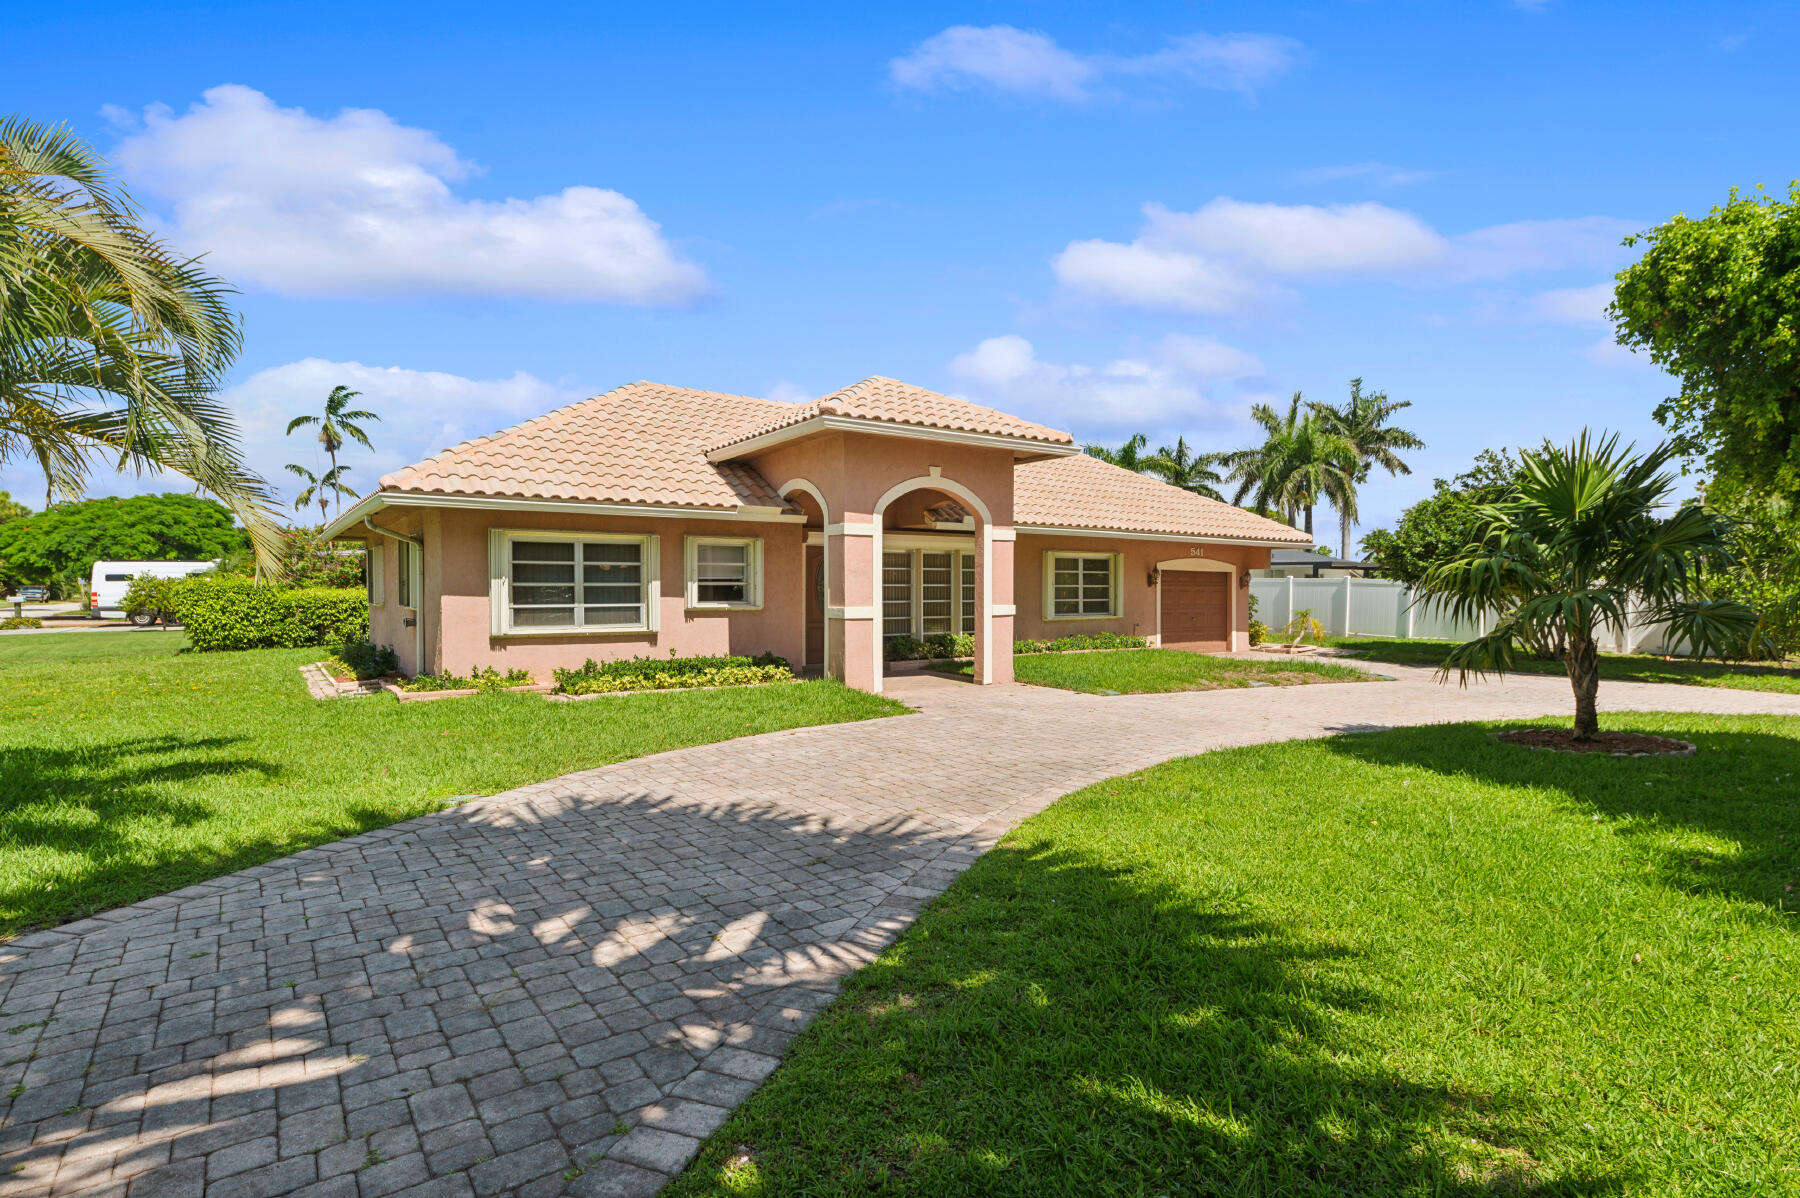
column 573, row 584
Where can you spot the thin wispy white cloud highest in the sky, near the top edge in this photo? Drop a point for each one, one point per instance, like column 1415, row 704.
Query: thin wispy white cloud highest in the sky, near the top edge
column 1023, row 62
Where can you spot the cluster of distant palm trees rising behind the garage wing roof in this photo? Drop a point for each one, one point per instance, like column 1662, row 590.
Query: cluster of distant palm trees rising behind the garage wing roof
column 1309, row 454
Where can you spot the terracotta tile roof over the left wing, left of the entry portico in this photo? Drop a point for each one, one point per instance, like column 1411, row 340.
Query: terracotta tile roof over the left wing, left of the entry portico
column 642, row 443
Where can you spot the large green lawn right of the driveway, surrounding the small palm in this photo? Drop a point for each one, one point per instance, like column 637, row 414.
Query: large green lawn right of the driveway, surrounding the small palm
column 1407, row 963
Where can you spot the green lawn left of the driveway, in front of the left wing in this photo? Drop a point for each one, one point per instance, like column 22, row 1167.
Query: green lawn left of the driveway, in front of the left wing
column 130, row 769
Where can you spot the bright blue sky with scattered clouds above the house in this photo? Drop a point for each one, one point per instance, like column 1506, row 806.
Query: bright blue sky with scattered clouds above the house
column 1110, row 219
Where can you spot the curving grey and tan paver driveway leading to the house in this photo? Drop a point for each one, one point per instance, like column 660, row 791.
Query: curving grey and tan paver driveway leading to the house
column 480, row 1001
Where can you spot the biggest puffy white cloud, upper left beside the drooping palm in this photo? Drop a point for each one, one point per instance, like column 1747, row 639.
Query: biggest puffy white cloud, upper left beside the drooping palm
column 359, row 204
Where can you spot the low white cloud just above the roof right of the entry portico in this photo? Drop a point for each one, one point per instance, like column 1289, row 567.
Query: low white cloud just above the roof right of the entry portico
column 1164, row 391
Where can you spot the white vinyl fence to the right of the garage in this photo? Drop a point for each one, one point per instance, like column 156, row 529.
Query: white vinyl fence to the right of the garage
column 1376, row 607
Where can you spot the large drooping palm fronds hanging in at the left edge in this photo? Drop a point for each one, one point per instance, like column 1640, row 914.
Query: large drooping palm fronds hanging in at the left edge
column 111, row 344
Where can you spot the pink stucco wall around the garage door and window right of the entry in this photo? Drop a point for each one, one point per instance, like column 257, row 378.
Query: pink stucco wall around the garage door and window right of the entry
column 1138, row 603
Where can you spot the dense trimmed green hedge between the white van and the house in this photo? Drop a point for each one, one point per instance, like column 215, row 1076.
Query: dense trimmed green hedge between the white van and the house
column 237, row 614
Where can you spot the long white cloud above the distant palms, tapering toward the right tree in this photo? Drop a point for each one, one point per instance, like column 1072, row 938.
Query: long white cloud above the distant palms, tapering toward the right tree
column 1228, row 255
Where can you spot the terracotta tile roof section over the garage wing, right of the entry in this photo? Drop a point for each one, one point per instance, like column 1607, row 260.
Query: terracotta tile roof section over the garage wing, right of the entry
column 1083, row 492
